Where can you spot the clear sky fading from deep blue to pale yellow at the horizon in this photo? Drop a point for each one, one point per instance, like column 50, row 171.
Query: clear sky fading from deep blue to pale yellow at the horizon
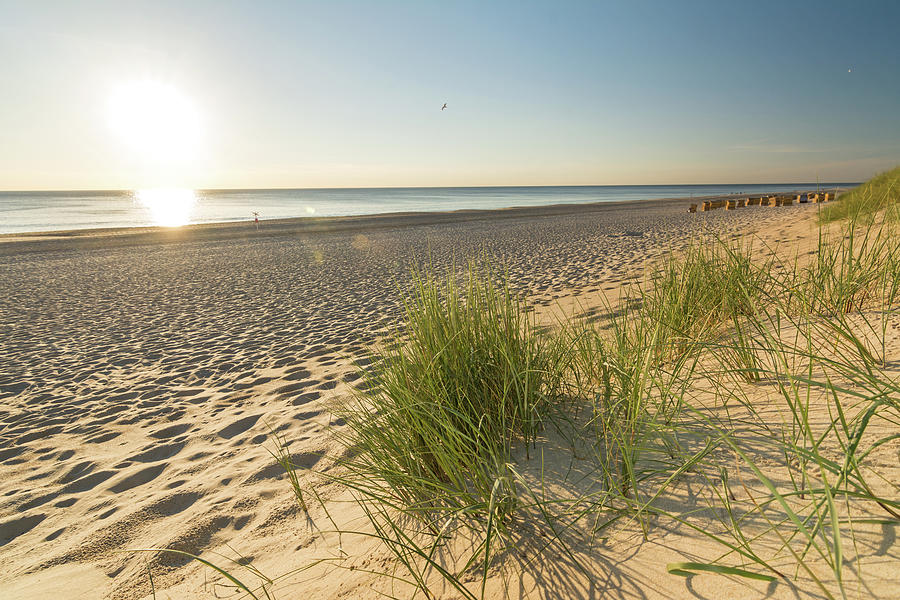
column 269, row 94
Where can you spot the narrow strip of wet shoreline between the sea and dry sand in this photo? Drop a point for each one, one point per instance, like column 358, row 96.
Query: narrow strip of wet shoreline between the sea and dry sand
column 80, row 239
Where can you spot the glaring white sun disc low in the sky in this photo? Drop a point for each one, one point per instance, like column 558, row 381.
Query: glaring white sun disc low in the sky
column 155, row 119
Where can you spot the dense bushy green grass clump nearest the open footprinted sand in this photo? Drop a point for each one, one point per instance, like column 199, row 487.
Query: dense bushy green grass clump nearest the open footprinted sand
column 447, row 399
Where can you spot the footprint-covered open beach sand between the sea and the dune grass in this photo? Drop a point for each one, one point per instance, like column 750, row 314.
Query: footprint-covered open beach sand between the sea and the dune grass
column 142, row 373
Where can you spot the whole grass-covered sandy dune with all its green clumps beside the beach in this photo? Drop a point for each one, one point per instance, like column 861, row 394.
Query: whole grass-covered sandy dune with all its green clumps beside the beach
column 754, row 377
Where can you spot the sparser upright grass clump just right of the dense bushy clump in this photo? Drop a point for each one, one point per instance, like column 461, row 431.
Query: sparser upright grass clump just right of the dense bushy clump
column 631, row 371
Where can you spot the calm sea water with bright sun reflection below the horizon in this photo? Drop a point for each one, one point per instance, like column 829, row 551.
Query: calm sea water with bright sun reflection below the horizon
column 47, row 211
